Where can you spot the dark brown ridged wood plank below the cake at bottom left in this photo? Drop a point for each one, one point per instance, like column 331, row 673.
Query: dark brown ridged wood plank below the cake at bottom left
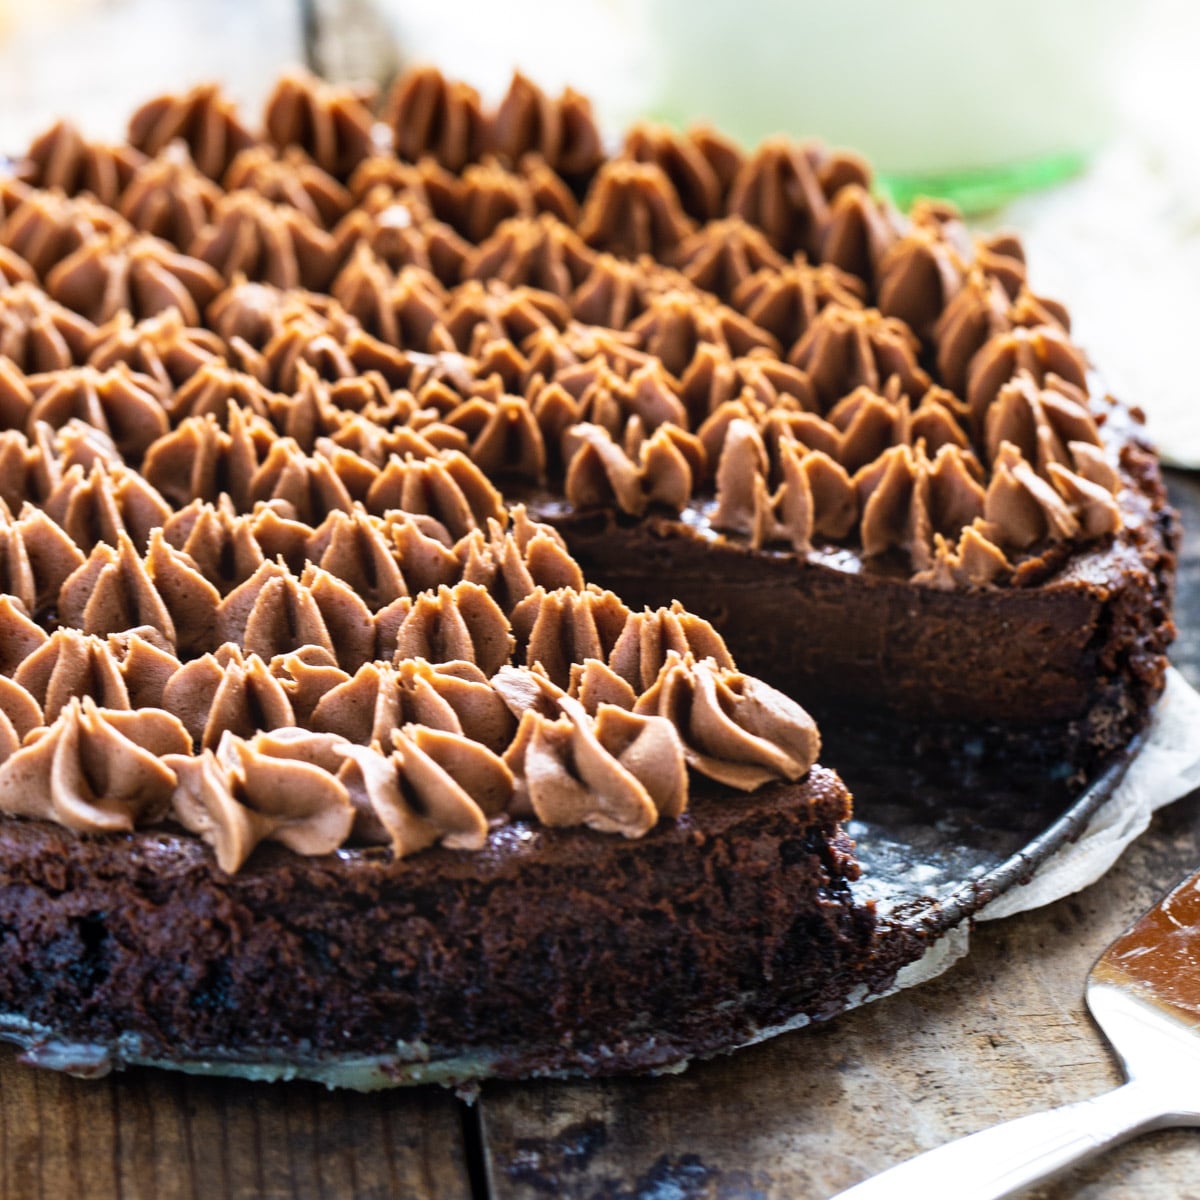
column 155, row 1136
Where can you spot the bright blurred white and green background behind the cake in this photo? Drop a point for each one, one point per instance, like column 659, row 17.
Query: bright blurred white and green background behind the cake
column 1071, row 121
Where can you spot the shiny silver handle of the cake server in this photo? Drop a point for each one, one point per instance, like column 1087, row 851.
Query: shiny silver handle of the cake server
column 1001, row 1161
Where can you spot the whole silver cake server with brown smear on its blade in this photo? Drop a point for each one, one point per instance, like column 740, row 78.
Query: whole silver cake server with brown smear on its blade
column 1144, row 994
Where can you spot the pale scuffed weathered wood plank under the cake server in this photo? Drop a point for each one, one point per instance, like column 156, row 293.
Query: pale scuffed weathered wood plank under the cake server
column 1004, row 1034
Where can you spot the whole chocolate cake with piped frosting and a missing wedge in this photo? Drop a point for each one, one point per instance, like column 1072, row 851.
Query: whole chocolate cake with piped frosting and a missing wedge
column 325, row 751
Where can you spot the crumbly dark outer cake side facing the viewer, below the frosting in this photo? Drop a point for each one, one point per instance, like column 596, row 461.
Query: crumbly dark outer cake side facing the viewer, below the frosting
column 633, row 955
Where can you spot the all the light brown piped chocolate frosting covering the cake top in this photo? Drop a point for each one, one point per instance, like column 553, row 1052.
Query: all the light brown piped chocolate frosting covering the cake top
column 259, row 580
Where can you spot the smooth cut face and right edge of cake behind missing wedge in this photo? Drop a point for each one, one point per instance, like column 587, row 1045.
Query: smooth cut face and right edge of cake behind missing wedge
column 1067, row 663
